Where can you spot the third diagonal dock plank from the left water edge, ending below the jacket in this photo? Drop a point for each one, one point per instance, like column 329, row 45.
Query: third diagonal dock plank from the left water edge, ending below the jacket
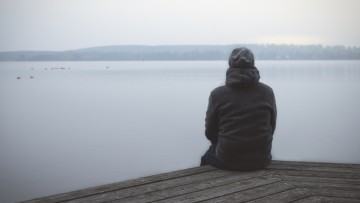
column 193, row 187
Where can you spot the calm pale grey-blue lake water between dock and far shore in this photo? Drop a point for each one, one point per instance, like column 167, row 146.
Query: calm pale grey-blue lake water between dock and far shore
column 71, row 125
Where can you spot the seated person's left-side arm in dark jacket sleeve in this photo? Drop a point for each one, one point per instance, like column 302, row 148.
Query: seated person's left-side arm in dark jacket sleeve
column 211, row 122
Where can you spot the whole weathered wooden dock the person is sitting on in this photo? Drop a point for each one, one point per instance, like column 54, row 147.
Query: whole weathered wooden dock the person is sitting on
column 281, row 181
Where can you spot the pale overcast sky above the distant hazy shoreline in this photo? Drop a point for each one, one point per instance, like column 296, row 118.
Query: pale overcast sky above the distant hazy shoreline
column 73, row 24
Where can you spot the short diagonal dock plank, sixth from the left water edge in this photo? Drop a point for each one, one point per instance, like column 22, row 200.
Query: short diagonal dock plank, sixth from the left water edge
column 286, row 196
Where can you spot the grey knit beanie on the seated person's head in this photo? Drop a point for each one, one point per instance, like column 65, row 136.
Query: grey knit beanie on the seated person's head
column 241, row 58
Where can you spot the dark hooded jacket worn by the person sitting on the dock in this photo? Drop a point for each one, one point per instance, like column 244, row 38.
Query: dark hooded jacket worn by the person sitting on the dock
column 241, row 120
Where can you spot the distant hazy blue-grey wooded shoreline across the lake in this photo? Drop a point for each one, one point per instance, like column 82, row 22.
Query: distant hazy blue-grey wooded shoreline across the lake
column 186, row 53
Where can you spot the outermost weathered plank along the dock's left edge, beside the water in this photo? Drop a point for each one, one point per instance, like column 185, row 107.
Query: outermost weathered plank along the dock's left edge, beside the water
column 120, row 185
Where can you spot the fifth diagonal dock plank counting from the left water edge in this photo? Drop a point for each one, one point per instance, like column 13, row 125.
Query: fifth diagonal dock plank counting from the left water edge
column 254, row 193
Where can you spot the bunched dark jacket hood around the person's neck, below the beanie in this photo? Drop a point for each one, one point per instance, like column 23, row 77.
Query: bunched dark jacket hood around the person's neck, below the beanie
column 242, row 76
